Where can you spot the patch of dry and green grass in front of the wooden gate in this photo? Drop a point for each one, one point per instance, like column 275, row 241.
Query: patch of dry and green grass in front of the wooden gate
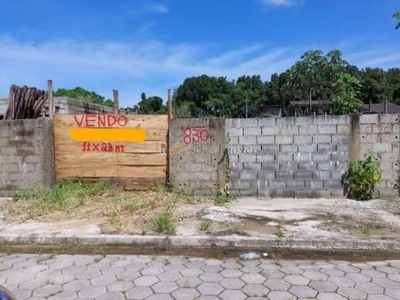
column 121, row 211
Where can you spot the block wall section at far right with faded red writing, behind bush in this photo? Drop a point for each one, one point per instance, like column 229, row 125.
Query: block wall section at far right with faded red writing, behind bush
column 381, row 134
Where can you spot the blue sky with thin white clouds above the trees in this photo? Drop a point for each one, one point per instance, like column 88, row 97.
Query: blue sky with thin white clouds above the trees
column 149, row 46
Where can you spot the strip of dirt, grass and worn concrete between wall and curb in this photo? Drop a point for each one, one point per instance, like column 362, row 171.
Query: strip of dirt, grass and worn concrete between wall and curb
column 133, row 214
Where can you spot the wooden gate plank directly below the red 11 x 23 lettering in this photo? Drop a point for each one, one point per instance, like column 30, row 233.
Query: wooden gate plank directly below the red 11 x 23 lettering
column 113, row 159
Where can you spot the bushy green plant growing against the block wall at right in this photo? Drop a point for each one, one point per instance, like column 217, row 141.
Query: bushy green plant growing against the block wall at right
column 362, row 177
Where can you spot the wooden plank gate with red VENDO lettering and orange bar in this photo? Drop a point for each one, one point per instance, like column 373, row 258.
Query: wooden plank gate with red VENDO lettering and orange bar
column 130, row 150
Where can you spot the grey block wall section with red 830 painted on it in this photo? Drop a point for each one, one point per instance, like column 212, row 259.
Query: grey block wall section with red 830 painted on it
column 196, row 156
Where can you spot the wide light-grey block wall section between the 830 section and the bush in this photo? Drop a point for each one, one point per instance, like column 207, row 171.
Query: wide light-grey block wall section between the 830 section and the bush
column 289, row 157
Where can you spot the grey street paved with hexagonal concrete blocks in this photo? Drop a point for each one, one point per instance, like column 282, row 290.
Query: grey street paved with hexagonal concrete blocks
column 155, row 277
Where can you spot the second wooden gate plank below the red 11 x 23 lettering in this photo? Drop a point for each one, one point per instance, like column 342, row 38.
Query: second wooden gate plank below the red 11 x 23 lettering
column 96, row 169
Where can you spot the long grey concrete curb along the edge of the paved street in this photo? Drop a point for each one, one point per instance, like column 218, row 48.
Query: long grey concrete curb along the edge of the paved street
column 232, row 242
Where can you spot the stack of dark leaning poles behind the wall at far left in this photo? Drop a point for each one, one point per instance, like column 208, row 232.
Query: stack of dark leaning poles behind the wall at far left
column 25, row 103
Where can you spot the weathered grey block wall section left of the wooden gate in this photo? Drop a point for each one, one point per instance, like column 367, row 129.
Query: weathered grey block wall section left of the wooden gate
column 26, row 154
